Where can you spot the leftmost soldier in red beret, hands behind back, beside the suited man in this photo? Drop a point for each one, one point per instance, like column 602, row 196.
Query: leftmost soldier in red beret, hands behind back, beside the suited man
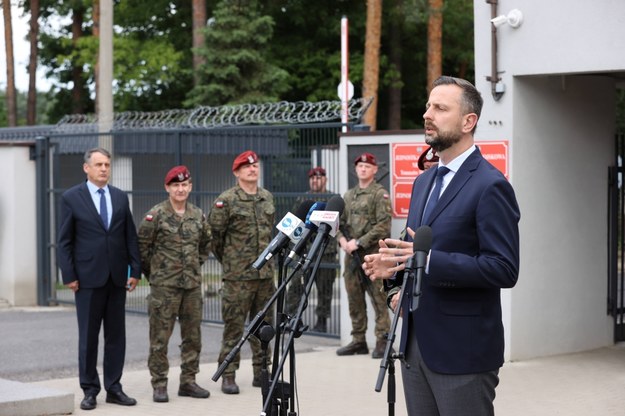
column 174, row 240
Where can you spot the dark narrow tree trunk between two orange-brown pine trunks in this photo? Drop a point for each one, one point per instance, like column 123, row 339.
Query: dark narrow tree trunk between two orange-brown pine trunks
column 395, row 56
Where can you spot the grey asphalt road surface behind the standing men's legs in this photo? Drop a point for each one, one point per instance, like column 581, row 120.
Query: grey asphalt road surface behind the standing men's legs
column 42, row 343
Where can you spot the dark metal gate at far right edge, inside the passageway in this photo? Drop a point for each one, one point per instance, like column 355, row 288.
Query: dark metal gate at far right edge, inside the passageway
column 616, row 240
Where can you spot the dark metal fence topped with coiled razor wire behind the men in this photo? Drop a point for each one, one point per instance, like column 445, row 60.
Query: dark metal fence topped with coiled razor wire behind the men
column 290, row 138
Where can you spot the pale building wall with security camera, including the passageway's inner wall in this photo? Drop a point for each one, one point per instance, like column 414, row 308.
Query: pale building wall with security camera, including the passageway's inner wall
column 561, row 129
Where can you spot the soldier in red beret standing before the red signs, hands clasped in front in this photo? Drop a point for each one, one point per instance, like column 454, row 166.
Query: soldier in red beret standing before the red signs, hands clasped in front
column 365, row 220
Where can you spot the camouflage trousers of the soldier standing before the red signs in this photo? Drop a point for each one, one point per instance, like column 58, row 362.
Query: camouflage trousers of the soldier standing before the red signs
column 358, row 305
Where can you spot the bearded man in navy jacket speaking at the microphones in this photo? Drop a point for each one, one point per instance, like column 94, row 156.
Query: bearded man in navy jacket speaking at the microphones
column 453, row 341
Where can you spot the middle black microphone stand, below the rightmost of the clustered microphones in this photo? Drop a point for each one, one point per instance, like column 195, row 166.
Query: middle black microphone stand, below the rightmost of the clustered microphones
column 295, row 329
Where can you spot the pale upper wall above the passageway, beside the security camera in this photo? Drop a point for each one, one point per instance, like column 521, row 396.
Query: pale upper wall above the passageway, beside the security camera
column 573, row 36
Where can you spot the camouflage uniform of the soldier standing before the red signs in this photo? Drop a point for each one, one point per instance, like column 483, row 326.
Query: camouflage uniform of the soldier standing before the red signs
column 367, row 217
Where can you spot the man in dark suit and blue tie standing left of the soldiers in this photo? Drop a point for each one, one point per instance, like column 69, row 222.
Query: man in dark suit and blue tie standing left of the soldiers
column 99, row 258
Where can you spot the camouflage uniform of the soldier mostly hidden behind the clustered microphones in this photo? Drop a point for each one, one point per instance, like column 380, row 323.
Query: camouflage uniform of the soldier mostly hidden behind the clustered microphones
column 325, row 275
